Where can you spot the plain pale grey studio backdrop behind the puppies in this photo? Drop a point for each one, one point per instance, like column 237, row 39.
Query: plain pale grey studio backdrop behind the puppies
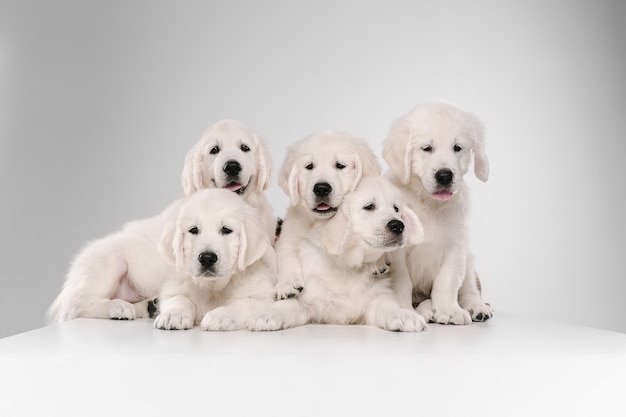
column 99, row 102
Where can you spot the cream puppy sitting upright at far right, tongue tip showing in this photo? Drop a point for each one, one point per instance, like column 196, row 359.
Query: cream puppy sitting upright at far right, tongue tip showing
column 429, row 150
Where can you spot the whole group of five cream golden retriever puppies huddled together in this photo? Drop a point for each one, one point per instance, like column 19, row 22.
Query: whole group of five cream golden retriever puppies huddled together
column 354, row 246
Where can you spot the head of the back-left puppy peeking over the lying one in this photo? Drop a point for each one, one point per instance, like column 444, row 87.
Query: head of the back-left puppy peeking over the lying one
column 228, row 156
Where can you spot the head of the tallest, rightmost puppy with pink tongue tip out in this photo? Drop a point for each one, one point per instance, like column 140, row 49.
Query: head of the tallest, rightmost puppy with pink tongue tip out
column 434, row 142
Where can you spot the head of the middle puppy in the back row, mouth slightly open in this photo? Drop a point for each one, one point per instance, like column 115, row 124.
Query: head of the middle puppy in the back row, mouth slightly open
column 319, row 169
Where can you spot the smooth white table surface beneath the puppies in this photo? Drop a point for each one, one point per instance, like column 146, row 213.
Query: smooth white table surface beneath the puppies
column 509, row 366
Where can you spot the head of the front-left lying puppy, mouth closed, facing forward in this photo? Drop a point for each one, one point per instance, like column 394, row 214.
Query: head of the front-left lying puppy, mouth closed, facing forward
column 214, row 235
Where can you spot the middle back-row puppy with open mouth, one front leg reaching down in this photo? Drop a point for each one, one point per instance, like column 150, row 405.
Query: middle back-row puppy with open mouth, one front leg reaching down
column 316, row 174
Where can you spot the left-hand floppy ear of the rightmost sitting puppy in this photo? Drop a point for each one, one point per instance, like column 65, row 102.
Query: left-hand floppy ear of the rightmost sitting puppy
column 398, row 150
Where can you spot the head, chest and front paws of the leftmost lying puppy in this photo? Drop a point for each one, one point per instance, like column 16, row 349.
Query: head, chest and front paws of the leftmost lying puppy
column 225, row 267
